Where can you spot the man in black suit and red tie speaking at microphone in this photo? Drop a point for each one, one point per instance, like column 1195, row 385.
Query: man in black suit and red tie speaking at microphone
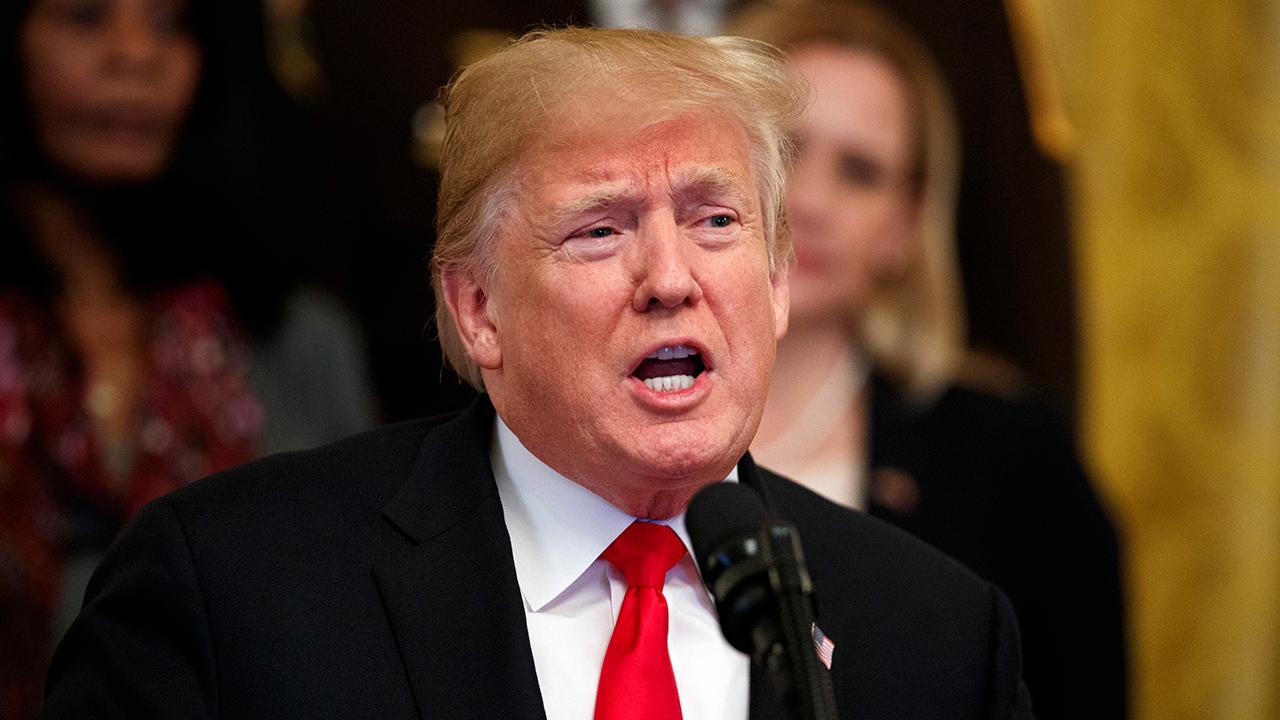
column 612, row 263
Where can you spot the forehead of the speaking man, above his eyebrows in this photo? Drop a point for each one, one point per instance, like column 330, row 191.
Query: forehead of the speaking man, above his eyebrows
column 687, row 153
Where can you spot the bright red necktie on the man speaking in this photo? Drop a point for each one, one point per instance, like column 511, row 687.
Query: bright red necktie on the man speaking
column 637, row 681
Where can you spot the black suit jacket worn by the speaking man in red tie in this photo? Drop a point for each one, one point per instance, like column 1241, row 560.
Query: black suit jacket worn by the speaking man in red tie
column 374, row 578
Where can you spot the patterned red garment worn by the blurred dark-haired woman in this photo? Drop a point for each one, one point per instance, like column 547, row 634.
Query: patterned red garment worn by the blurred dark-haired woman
column 198, row 416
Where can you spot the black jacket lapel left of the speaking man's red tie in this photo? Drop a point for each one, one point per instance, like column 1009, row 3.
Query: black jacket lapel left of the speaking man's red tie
column 452, row 599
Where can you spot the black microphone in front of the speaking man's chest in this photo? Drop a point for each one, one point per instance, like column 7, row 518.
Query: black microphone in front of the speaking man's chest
column 755, row 569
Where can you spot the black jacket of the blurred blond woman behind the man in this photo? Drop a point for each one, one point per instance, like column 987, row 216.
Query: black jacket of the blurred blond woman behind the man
column 996, row 484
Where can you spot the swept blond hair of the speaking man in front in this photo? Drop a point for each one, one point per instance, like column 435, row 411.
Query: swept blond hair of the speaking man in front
column 572, row 83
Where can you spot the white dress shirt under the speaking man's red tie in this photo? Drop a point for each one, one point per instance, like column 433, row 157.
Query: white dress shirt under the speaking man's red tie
column 559, row 531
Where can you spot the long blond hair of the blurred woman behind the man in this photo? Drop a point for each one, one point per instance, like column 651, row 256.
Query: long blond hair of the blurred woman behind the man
column 915, row 327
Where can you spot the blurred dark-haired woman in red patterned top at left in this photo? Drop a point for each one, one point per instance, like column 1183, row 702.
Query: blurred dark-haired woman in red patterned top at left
column 150, row 332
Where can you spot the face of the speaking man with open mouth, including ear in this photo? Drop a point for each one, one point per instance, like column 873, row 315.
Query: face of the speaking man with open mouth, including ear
column 629, row 334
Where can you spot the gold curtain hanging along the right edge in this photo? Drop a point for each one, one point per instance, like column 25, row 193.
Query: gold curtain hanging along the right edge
column 1174, row 112
